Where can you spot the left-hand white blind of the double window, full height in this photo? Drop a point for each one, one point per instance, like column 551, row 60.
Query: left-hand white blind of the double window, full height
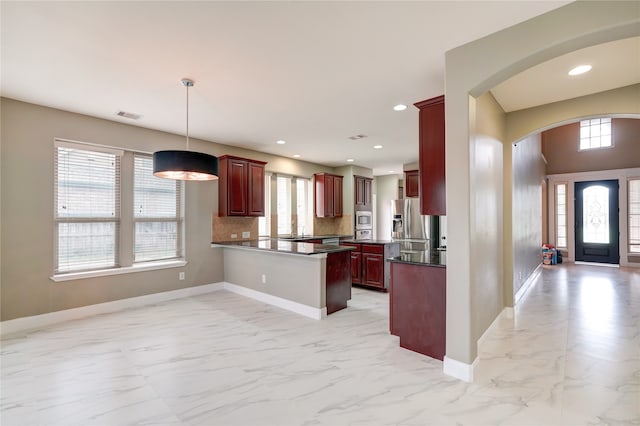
column 87, row 207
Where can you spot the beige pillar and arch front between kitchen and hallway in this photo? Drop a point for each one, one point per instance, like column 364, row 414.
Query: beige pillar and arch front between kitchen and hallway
column 470, row 71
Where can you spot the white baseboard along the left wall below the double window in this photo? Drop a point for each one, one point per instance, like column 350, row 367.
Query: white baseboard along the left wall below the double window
column 19, row 325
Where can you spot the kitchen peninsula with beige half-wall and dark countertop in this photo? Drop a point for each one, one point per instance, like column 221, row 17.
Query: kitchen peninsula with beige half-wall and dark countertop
column 311, row 279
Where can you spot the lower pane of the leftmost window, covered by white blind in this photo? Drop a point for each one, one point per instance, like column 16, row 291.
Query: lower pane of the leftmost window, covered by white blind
column 85, row 246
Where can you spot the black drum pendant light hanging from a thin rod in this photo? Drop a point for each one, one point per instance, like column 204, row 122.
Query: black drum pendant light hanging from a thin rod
column 185, row 165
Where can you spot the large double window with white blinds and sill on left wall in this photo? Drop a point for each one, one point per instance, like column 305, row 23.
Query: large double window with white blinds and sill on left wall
column 93, row 234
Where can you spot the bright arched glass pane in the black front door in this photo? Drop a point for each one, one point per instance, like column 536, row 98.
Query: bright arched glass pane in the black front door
column 595, row 205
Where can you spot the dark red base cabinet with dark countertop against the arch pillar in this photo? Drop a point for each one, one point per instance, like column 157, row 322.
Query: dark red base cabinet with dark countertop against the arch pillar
column 417, row 302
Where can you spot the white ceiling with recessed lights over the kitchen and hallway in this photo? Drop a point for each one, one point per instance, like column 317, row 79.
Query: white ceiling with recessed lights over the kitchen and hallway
column 310, row 73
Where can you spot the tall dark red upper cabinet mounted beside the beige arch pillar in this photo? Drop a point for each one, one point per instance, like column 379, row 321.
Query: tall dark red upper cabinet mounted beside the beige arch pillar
column 432, row 156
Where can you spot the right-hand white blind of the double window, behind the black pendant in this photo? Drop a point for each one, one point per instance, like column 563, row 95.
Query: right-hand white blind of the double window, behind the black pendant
column 157, row 214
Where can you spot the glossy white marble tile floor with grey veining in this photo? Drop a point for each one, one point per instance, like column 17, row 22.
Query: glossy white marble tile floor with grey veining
column 570, row 356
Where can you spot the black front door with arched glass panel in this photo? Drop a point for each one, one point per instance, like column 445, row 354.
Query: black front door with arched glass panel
column 597, row 217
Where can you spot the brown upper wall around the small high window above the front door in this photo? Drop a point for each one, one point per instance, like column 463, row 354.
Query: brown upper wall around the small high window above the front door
column 560, row 147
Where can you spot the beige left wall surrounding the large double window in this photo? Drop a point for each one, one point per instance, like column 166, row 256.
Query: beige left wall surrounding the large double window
column 28, row 133
